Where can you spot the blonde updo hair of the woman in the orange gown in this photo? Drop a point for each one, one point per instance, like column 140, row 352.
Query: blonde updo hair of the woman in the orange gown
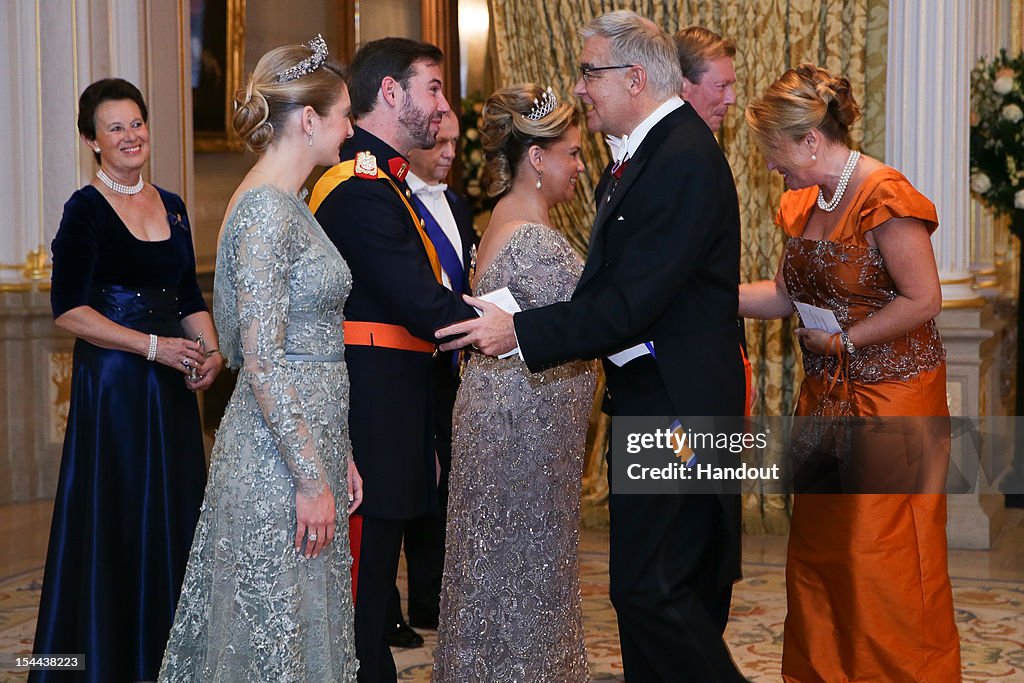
column 803, row 100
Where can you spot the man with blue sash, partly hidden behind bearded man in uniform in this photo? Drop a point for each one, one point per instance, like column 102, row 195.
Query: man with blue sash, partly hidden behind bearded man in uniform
column 451, row 230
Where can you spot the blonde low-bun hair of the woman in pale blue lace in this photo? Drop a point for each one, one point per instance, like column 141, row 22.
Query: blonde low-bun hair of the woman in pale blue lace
column 264, row 106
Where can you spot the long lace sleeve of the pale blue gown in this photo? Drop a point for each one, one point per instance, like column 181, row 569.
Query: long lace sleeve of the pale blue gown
column 267, row 252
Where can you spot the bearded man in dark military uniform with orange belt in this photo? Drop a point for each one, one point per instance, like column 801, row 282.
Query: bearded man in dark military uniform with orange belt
column 397, row 304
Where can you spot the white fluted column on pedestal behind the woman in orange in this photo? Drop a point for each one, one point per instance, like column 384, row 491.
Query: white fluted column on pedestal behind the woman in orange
column 927, row 117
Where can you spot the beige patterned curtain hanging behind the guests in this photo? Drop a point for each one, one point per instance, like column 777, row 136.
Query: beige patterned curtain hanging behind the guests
column 539, row 41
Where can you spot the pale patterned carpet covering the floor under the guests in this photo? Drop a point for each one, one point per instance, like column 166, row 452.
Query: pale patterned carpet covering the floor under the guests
column 991, row 617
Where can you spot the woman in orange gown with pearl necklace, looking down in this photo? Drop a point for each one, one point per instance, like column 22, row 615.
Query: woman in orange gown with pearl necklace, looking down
column 868, row 583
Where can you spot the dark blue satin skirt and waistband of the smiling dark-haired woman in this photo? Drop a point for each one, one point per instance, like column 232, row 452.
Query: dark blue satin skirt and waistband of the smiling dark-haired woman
column 132, row 484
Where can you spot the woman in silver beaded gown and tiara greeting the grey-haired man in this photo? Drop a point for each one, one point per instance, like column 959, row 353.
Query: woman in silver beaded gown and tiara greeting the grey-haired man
column 510, row 595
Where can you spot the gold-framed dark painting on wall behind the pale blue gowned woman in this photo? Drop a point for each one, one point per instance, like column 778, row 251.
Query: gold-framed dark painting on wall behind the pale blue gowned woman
column 219, row 30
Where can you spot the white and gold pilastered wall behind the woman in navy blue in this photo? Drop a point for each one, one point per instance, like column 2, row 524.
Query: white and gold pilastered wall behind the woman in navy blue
column 50, row 52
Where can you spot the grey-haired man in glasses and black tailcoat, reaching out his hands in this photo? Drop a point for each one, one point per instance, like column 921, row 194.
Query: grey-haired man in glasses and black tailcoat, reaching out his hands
column 658, row 301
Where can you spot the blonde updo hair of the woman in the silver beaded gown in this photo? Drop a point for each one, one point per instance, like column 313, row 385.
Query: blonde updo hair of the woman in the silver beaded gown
column 507, row 134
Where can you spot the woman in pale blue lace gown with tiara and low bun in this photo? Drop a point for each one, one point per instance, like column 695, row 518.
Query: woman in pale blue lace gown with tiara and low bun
column 268, row 591
